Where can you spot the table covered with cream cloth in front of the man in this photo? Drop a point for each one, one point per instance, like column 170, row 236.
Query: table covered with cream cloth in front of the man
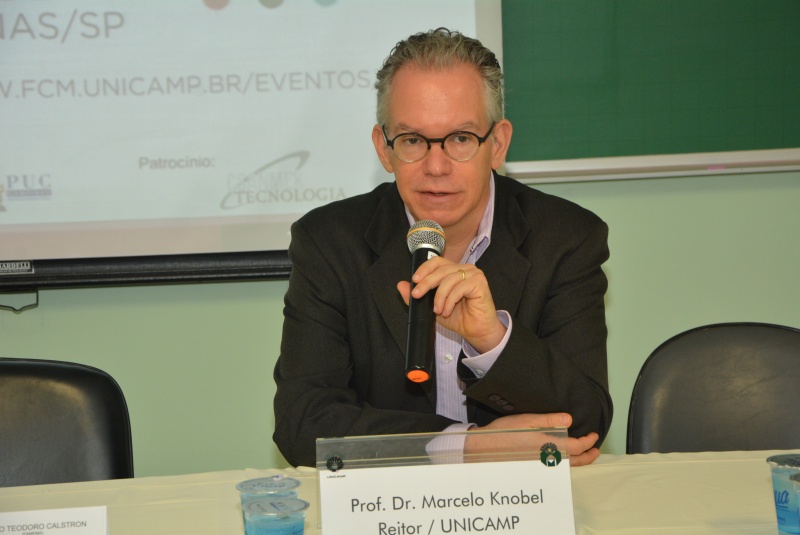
column 709, row 493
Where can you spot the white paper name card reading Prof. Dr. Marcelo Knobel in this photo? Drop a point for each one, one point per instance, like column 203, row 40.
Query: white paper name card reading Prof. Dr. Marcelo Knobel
column 530, row 497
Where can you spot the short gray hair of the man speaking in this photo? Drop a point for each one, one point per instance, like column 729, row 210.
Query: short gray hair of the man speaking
column 441, row 49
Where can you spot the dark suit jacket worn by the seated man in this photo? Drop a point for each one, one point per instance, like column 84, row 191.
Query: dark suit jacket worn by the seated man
column 341, row 368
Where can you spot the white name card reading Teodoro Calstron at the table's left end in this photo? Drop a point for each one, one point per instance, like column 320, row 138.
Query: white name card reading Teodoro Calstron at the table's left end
column 73, row 521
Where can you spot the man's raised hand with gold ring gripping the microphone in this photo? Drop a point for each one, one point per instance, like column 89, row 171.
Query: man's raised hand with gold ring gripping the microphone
column 463, row 302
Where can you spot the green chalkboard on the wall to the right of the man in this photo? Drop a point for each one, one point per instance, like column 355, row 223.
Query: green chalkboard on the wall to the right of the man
column 595, row 78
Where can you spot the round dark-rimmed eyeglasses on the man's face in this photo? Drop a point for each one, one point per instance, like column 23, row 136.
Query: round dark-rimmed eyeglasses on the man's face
column 460, row 146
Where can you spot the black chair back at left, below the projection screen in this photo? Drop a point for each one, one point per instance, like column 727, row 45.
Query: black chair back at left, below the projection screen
column 61, row 422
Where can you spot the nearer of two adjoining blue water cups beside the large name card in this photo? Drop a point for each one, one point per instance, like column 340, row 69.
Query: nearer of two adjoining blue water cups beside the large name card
column 275, row 516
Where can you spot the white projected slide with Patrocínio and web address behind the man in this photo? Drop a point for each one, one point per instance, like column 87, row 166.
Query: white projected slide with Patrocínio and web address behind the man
column 139, row 127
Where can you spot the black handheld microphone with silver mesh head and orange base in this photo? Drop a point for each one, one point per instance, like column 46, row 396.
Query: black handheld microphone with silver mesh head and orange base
column 425, row 240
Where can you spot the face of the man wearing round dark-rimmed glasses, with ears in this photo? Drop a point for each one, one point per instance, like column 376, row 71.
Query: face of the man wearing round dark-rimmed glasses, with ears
column 434, row 104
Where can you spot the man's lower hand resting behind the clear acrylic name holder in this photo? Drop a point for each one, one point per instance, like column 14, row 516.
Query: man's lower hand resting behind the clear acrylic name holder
column 581, row 450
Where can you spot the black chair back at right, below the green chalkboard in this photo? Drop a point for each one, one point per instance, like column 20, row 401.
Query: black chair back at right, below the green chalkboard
column 723, row 387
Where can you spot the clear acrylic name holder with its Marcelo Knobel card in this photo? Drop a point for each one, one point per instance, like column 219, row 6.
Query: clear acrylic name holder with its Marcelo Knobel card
column 510, row 481
